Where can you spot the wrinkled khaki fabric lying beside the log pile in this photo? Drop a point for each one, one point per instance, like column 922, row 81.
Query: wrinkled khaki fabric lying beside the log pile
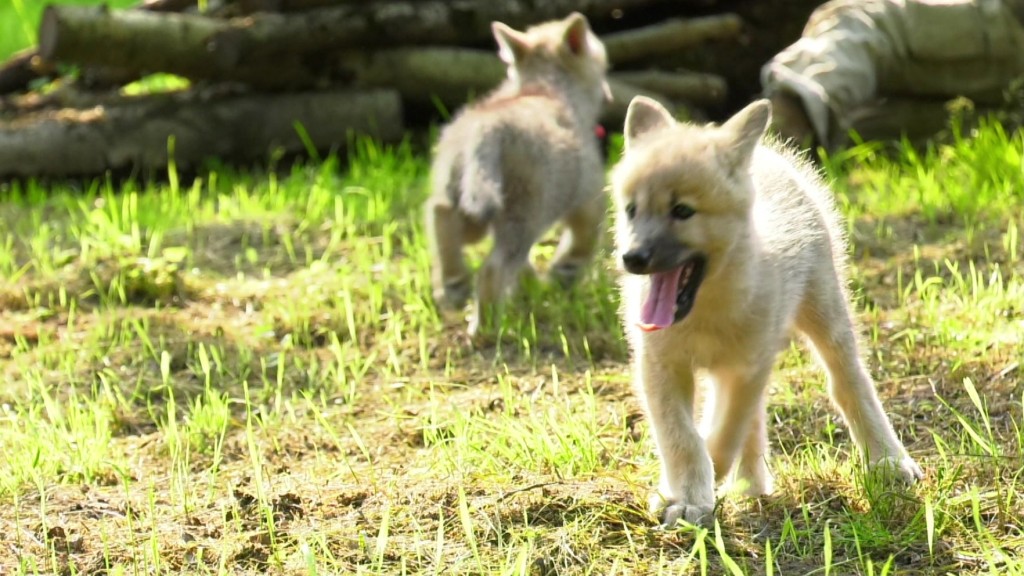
column 856, row 52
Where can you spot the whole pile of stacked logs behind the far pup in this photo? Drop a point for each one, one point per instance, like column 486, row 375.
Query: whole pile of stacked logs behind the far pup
column 291, row 75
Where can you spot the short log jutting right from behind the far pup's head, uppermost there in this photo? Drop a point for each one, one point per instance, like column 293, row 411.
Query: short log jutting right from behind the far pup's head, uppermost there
column 669, row 37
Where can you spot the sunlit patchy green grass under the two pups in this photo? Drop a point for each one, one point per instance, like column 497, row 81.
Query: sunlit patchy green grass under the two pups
column 245, row 375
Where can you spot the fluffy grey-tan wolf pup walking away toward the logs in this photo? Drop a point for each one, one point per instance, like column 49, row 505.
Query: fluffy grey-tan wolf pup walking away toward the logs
column 520, row 160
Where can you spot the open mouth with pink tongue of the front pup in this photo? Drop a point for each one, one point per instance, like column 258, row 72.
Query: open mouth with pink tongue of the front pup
column 672, row 295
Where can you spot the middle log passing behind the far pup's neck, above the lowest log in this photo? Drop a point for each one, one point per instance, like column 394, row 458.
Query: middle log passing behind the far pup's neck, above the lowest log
column 450, row 75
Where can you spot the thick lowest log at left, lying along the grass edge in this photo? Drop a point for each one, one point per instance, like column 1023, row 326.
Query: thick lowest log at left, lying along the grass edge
column 135, row 135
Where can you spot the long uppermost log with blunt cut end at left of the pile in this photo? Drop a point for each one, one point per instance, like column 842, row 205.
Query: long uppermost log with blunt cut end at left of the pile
column 274, row 51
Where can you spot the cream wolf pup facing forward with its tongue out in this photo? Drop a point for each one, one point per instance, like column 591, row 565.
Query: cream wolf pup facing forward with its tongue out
column 731, row 244
